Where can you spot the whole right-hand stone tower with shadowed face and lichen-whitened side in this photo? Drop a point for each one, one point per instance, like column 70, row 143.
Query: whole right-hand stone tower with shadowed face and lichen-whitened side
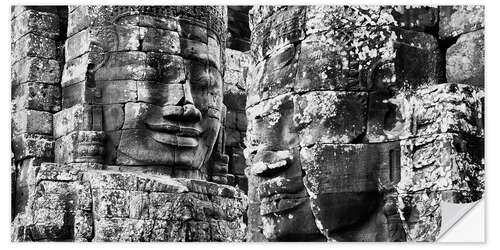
column 349, row 115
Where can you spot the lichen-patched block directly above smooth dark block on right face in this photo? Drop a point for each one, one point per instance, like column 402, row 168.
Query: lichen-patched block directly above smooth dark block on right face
column 321, row 117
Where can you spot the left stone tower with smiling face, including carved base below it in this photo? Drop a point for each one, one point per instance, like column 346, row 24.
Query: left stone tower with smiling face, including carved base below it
column 139, row 142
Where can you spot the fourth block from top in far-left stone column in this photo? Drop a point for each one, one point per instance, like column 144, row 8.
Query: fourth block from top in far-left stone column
column 37, row 96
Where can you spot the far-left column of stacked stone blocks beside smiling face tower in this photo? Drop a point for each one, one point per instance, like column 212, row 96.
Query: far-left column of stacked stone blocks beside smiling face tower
column 35, row 78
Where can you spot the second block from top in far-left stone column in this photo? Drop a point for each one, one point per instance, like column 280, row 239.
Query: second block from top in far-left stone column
column 32, row 45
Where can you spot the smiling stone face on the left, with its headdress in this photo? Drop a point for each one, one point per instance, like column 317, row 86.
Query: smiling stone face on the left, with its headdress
column 161, row 89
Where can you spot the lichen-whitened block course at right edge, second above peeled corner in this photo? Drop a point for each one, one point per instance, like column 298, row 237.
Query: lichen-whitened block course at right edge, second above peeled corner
column 429, row 110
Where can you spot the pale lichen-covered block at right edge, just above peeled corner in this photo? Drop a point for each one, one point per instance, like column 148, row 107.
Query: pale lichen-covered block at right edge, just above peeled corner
column 443, row 162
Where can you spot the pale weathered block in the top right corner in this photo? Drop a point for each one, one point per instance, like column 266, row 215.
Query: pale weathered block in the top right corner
column 460, row 19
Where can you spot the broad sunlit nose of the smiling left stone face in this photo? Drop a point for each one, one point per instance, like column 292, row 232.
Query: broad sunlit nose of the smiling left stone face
column 184, row 110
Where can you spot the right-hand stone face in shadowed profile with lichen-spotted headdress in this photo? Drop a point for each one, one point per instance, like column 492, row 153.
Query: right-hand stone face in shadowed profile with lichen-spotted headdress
column 307, row 111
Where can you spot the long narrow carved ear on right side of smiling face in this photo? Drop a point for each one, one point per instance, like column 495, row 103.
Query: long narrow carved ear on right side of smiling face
column 218, row 163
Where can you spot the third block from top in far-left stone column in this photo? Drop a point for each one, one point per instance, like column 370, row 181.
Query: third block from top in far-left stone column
column 34, row 69
